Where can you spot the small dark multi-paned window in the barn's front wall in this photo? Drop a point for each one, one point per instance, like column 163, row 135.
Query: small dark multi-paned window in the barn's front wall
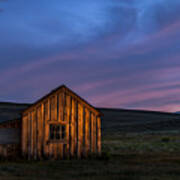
column 57, row 132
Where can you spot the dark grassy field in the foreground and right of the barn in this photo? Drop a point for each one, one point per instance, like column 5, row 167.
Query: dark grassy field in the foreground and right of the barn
column 151, row 156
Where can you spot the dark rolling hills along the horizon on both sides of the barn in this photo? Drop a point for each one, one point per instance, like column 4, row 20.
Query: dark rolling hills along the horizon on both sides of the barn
column 114, row 120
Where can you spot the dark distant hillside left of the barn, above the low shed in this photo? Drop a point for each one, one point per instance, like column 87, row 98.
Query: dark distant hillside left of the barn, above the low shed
column 10, row 111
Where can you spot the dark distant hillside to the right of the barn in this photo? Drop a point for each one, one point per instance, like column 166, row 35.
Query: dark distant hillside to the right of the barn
column 120, row 121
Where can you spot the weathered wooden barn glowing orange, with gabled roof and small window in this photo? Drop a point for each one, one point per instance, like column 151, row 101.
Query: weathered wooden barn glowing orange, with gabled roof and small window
column 59, row 125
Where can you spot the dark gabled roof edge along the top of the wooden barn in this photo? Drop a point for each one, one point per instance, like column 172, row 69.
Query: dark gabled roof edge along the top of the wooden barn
column 68, row 90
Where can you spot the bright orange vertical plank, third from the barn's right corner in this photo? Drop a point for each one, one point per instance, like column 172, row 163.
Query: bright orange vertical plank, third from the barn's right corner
column 87, row 132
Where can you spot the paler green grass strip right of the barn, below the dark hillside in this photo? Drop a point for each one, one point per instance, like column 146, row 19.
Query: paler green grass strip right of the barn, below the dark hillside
column 140, row 143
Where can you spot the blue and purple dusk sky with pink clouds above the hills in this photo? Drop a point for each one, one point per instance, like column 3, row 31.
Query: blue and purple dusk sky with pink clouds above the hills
column 113, row 53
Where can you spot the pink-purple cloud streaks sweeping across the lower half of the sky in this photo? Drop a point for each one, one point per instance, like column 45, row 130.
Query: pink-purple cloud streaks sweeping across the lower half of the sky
column 161, row 76
